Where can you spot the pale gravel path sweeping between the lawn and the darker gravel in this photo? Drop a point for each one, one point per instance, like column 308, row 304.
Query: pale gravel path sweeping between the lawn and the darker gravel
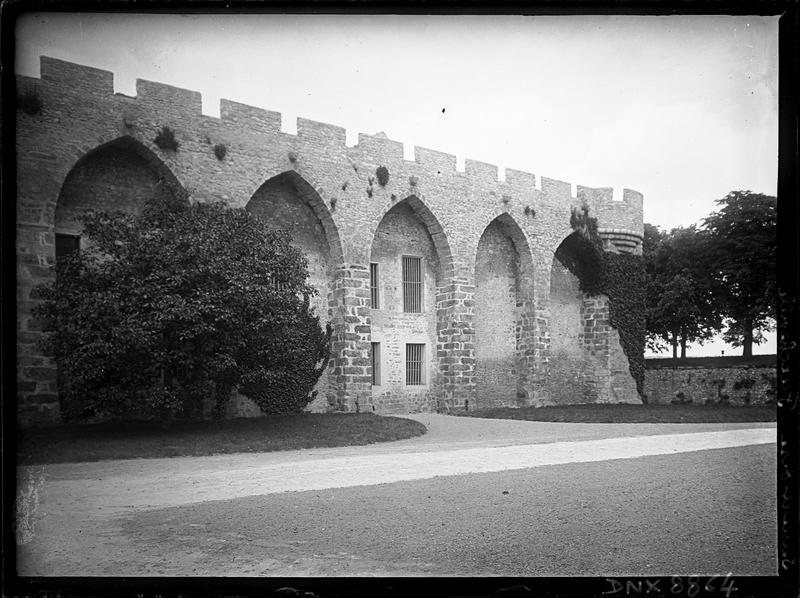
column 67, row 510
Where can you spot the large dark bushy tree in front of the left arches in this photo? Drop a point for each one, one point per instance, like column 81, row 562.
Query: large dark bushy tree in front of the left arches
column 165, row 313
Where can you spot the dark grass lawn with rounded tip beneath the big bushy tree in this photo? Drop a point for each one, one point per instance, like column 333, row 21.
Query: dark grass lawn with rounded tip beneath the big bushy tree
column 95, row 442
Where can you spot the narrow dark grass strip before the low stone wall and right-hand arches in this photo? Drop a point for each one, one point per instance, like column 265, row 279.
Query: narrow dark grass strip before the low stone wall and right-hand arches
column 631, row 414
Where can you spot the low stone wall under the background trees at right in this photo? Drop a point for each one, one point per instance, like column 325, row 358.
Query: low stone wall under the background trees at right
column 707, row 380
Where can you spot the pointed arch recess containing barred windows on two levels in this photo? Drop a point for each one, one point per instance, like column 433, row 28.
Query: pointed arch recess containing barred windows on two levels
column 411, row 270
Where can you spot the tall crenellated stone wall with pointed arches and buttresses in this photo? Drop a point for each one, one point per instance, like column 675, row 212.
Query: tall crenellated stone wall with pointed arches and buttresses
column 334, row 185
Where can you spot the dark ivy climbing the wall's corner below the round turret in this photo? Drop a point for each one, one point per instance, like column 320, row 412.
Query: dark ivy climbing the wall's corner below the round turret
column 619, row 276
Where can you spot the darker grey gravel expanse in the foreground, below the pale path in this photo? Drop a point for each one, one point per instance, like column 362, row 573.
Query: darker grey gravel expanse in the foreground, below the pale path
column 647, row 516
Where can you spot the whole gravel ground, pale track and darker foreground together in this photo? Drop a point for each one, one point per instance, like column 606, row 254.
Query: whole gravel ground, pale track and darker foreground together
column 228, row 514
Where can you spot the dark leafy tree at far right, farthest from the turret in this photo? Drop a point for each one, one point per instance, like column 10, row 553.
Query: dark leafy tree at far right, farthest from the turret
column 742, row 248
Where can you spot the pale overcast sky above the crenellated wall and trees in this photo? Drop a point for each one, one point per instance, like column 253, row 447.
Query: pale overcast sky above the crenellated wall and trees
column 683, row 109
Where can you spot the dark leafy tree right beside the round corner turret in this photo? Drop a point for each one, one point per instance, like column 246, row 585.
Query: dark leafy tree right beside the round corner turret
column 680, row 294
